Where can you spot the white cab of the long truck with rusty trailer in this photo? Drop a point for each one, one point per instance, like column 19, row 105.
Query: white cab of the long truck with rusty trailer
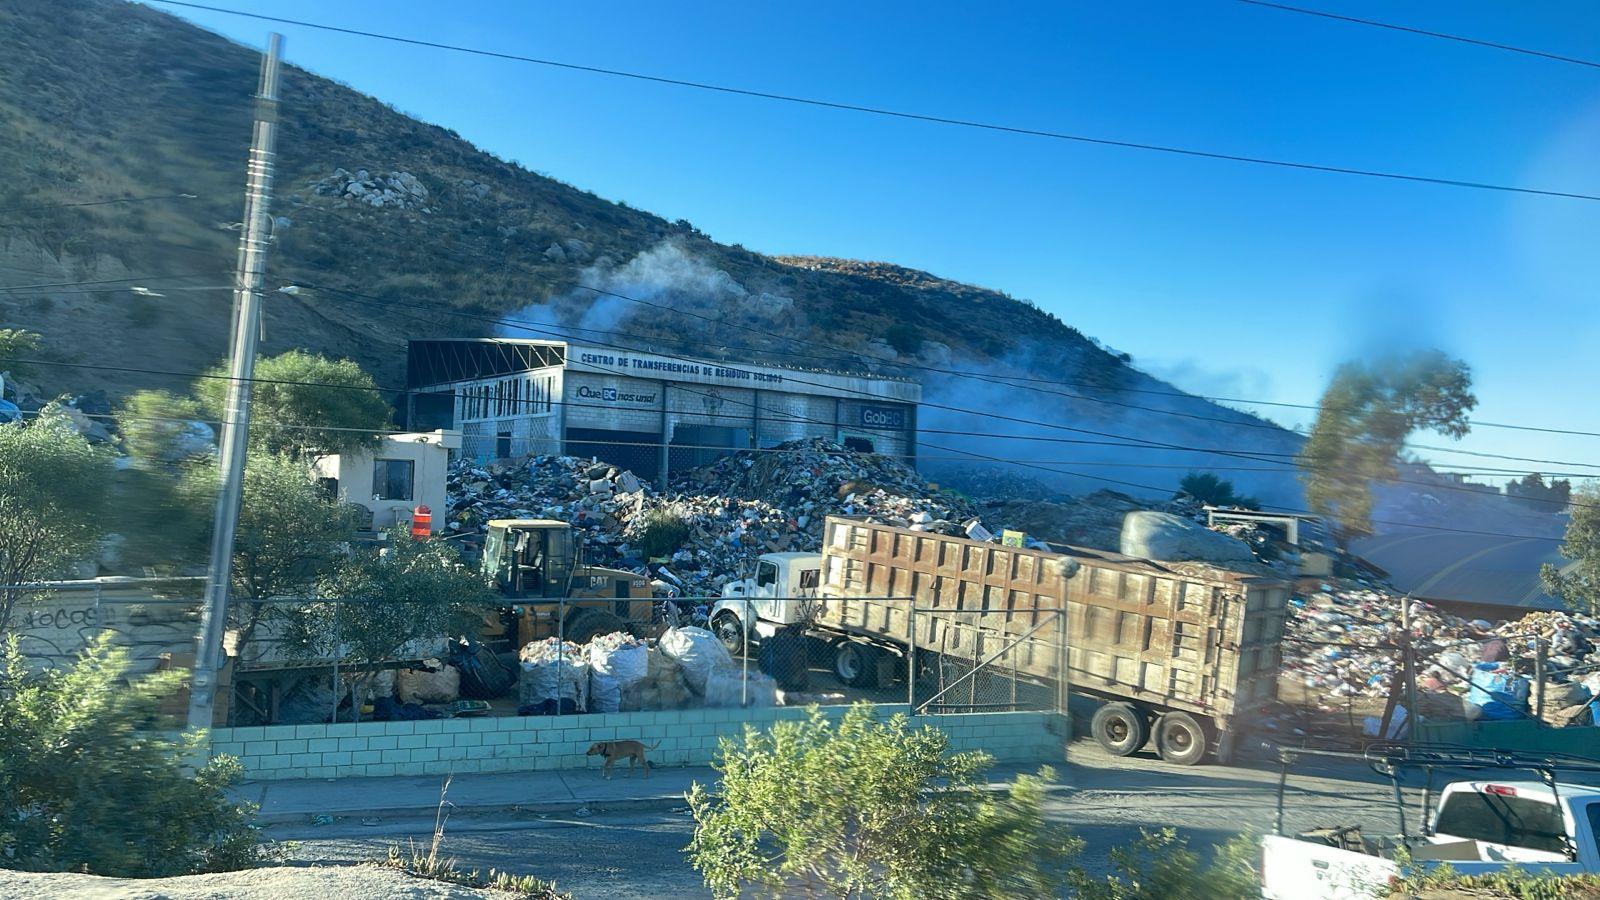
column 772, row 597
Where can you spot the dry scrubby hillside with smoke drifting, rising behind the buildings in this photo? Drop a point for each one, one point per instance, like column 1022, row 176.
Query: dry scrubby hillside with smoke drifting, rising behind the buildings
column 103, row 98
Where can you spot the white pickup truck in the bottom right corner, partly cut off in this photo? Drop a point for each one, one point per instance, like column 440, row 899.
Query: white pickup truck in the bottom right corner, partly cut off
column 1479, row 827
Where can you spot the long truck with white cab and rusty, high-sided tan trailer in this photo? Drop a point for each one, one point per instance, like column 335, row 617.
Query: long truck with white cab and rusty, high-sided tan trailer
column 1174, row 653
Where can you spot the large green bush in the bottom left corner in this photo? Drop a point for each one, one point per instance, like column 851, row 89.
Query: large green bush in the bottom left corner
column 86, row 785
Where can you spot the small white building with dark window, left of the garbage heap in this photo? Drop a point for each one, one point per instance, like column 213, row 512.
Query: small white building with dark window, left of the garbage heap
column 406, row 472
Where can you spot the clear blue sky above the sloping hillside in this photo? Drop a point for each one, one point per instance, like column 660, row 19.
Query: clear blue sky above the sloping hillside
column 1226, row 278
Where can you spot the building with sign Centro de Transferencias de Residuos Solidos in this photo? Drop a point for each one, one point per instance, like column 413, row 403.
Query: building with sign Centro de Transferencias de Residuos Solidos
column 646, row 412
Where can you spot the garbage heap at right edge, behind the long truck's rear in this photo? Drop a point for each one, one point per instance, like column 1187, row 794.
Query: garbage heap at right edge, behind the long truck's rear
column 1342, row 646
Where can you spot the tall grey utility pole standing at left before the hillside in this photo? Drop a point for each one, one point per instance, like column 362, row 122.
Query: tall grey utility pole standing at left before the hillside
column 242, row 368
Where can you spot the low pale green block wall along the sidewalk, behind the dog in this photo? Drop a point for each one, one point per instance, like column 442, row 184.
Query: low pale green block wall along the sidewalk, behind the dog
column 529, row 744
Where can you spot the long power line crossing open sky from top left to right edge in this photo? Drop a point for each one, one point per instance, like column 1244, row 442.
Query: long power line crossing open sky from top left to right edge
column 902, row 115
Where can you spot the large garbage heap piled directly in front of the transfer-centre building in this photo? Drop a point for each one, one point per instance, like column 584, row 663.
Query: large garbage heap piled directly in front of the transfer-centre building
column 737, row 508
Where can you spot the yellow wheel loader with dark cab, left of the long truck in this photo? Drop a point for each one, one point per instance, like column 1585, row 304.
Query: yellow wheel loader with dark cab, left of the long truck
column 538, row 563
